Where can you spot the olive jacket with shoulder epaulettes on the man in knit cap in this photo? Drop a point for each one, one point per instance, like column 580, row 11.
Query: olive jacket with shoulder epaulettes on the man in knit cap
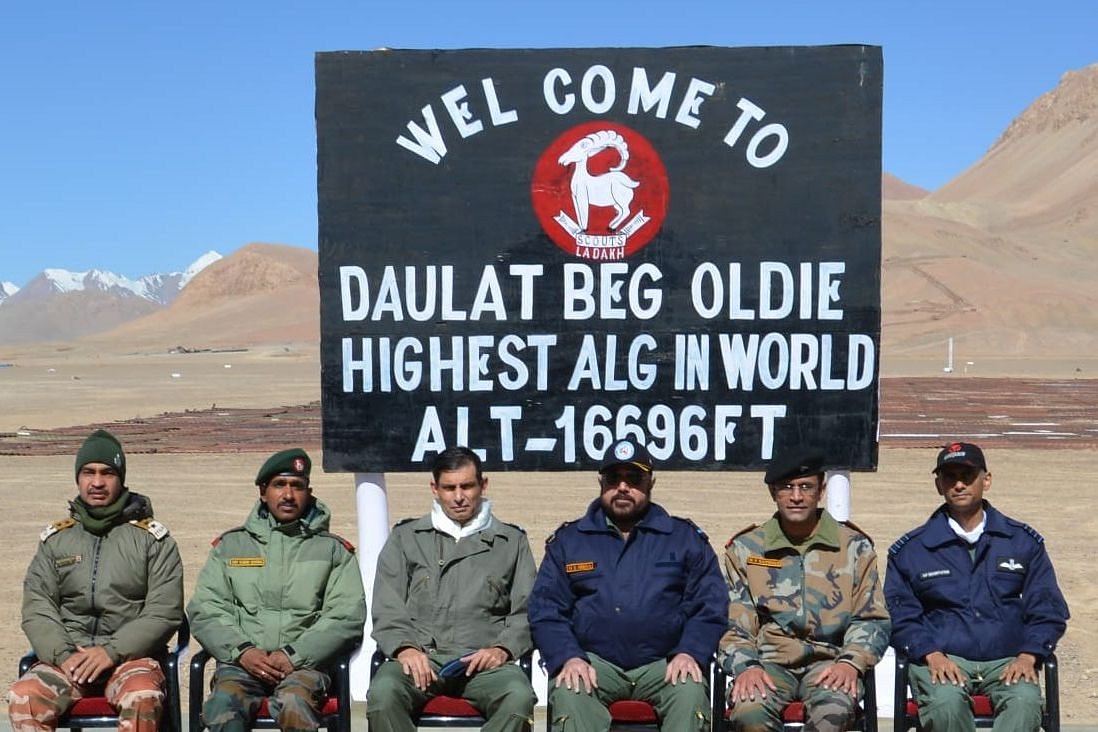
column 122, row 591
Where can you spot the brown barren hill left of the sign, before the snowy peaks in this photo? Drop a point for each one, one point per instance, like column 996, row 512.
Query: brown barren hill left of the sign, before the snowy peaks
column 262, row 295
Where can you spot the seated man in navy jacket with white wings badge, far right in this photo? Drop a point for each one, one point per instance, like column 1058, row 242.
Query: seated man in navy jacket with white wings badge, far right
column 976, row 603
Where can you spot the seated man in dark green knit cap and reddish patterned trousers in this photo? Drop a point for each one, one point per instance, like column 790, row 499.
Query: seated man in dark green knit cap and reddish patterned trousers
column 103, row 596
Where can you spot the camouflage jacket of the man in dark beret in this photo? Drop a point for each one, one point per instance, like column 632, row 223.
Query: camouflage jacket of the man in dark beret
column 794, row 605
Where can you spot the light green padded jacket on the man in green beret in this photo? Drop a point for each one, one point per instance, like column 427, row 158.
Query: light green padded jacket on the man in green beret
column 292, row 587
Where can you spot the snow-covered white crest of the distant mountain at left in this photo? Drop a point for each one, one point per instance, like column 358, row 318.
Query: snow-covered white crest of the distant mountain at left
column 161, row 288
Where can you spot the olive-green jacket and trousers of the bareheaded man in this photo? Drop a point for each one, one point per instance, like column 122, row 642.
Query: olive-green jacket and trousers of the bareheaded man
column 450, row 599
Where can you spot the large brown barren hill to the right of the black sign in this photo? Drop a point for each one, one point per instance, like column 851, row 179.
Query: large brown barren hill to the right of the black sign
column 1004, row 258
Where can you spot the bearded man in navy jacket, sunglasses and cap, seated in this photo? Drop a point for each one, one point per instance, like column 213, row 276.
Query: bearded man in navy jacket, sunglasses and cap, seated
column 629, row 604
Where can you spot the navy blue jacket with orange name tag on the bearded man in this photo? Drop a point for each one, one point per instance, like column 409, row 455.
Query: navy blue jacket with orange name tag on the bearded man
column 633, row 602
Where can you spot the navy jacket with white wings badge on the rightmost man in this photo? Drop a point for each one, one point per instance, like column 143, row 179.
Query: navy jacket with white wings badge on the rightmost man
column 998, row 603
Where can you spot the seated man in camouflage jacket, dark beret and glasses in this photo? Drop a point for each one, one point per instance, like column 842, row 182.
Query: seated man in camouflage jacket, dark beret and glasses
column 808, row 616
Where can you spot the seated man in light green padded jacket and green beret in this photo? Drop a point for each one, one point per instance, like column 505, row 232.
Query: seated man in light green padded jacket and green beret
column 278, row 600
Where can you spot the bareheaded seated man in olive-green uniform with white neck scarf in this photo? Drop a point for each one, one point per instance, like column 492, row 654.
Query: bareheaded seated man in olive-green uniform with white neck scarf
column 450, row 607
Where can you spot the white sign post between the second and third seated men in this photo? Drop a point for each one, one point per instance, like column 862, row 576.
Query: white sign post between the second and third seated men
column 372, row 504
